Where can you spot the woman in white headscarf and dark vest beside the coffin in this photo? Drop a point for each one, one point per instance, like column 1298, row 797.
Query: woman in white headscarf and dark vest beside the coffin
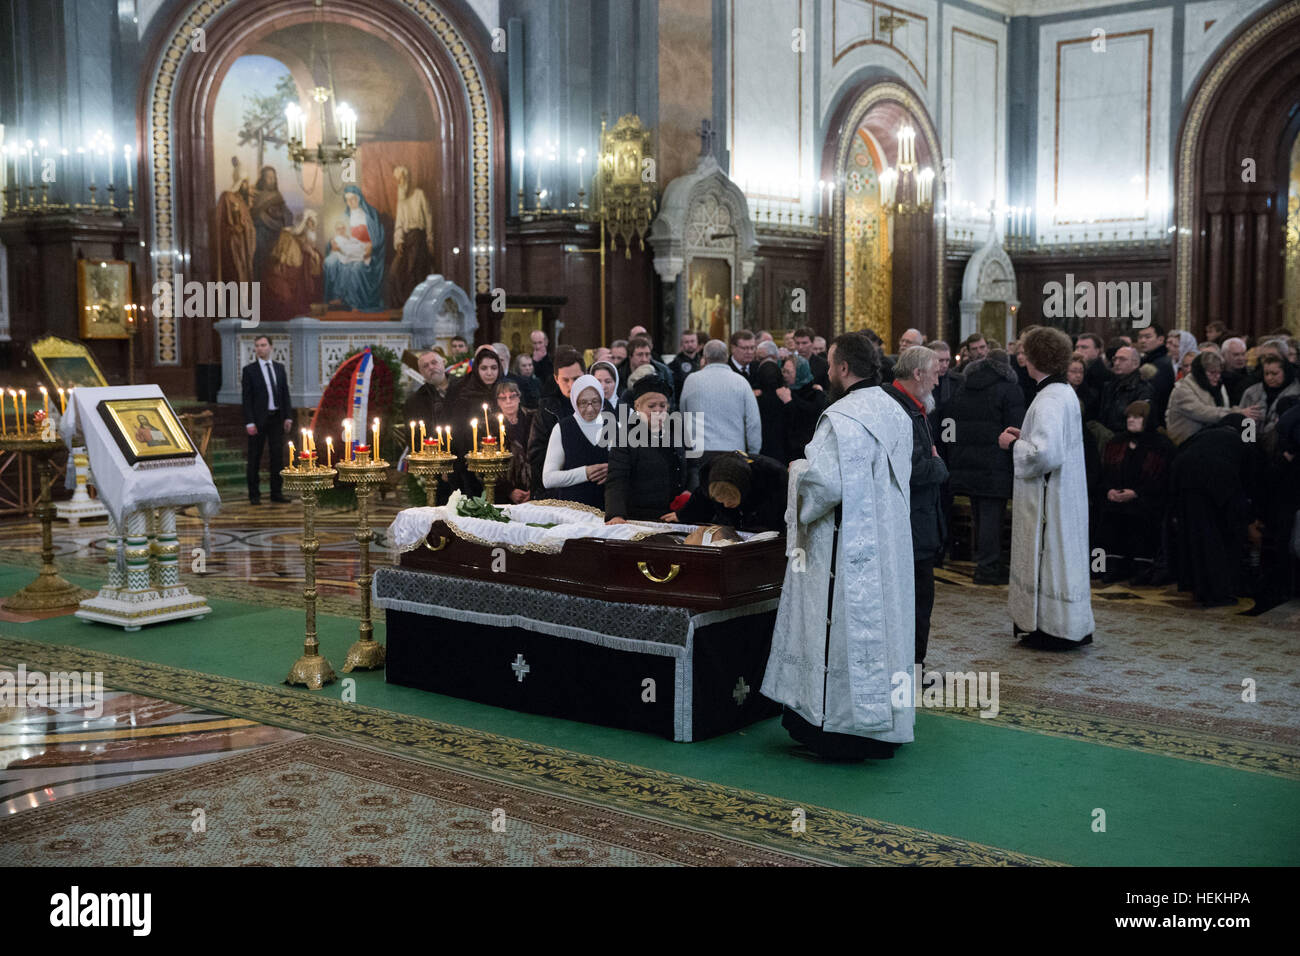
column 577, row 464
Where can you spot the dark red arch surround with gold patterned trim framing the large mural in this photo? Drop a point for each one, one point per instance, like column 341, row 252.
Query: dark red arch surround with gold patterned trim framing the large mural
column 439, row 46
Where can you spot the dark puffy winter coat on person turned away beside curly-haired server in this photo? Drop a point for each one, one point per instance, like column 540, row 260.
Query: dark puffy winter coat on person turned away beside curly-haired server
column 990, row 403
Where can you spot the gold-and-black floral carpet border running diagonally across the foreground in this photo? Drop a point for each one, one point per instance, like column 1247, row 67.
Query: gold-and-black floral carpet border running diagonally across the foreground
column 756, row 820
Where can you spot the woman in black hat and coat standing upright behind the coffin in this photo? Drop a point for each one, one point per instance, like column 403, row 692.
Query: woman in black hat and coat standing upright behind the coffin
column 645, row 473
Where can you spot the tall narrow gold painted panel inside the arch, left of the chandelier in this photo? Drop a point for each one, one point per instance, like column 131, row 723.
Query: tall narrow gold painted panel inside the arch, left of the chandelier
column 868, row 262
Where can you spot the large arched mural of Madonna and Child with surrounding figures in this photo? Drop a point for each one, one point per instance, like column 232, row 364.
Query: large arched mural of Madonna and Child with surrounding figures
column 326, row 241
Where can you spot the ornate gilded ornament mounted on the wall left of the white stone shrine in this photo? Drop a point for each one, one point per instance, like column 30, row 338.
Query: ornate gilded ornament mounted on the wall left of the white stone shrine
column 626, row 181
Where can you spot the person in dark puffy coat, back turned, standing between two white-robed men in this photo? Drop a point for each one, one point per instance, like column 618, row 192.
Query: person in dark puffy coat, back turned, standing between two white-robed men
column 990, row 403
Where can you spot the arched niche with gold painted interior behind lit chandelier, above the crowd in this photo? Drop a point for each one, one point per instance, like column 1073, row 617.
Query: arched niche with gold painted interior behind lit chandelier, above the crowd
column 887, row 270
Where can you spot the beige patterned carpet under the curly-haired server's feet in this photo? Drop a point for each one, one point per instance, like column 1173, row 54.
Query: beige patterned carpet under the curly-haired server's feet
column 1181, row 671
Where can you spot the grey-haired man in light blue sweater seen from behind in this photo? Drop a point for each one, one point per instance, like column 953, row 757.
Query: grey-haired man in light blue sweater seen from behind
column 729, row 412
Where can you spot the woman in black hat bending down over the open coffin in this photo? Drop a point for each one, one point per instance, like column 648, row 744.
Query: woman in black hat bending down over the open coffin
column 744, row 492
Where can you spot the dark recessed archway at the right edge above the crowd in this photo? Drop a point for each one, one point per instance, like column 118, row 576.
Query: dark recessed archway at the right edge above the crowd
column 1234, row 174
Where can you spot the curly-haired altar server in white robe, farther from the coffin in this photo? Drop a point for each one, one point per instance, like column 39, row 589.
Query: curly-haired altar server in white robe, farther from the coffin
column 1051, row 599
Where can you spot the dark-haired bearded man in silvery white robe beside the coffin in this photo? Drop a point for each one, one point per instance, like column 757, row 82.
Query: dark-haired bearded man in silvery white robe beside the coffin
column 846, row 629
